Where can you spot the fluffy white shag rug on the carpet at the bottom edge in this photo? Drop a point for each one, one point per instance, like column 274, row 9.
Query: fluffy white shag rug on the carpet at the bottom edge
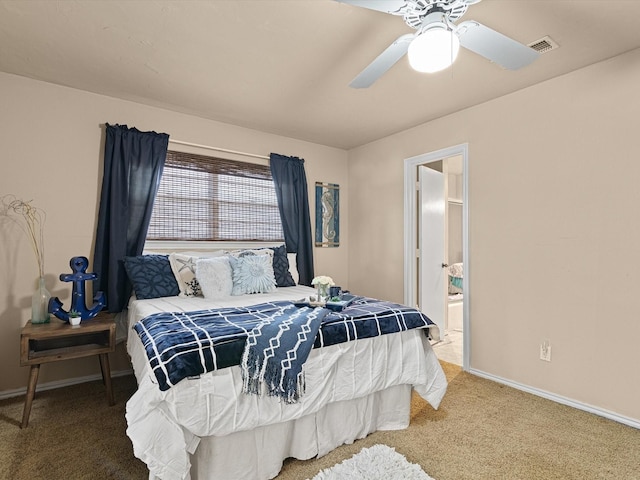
column 374, row 463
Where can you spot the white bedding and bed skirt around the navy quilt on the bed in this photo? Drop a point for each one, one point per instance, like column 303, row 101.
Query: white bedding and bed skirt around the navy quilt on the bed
column 197, row 428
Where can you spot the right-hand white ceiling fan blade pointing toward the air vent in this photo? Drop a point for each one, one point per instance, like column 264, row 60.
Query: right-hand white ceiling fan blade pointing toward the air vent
column 495, row 46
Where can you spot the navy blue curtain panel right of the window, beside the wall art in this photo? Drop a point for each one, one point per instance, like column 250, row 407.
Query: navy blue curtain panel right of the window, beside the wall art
column 290, row 181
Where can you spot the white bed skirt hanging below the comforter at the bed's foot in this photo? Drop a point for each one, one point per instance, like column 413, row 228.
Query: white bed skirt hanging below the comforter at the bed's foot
column 265, row 448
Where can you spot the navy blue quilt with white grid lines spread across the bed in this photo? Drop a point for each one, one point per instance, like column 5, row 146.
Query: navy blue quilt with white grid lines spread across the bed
column 180, row 345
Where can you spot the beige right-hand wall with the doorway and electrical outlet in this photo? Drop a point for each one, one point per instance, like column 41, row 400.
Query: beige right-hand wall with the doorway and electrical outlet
column 554, row 231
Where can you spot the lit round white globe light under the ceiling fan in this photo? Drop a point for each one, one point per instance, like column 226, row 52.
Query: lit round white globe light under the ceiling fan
column 433, row 50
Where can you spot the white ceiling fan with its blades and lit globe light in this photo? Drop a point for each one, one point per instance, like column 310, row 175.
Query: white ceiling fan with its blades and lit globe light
column 435, row 44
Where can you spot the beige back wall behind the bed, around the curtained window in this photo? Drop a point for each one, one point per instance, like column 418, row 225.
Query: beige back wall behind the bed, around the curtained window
column 51, row 144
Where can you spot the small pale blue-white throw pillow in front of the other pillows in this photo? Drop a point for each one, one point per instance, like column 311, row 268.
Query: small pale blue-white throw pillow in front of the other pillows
column 252, row 274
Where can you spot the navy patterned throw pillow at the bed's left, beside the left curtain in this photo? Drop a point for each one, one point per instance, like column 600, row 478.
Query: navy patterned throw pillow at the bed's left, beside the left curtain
column 151, row 276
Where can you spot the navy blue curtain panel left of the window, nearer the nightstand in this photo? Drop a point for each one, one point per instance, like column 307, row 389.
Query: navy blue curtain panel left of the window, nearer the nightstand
column 133, row 164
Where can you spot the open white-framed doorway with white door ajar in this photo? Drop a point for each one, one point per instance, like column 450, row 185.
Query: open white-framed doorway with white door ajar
column 436, row 247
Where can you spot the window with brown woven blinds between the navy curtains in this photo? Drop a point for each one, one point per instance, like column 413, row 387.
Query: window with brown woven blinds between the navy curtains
column 203, row 198
